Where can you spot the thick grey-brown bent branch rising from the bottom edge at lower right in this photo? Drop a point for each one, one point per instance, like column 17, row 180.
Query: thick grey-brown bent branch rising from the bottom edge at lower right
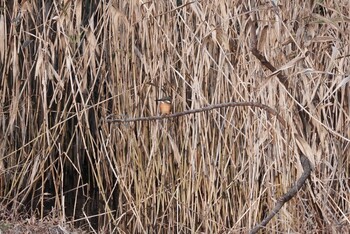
column 289, row 195
